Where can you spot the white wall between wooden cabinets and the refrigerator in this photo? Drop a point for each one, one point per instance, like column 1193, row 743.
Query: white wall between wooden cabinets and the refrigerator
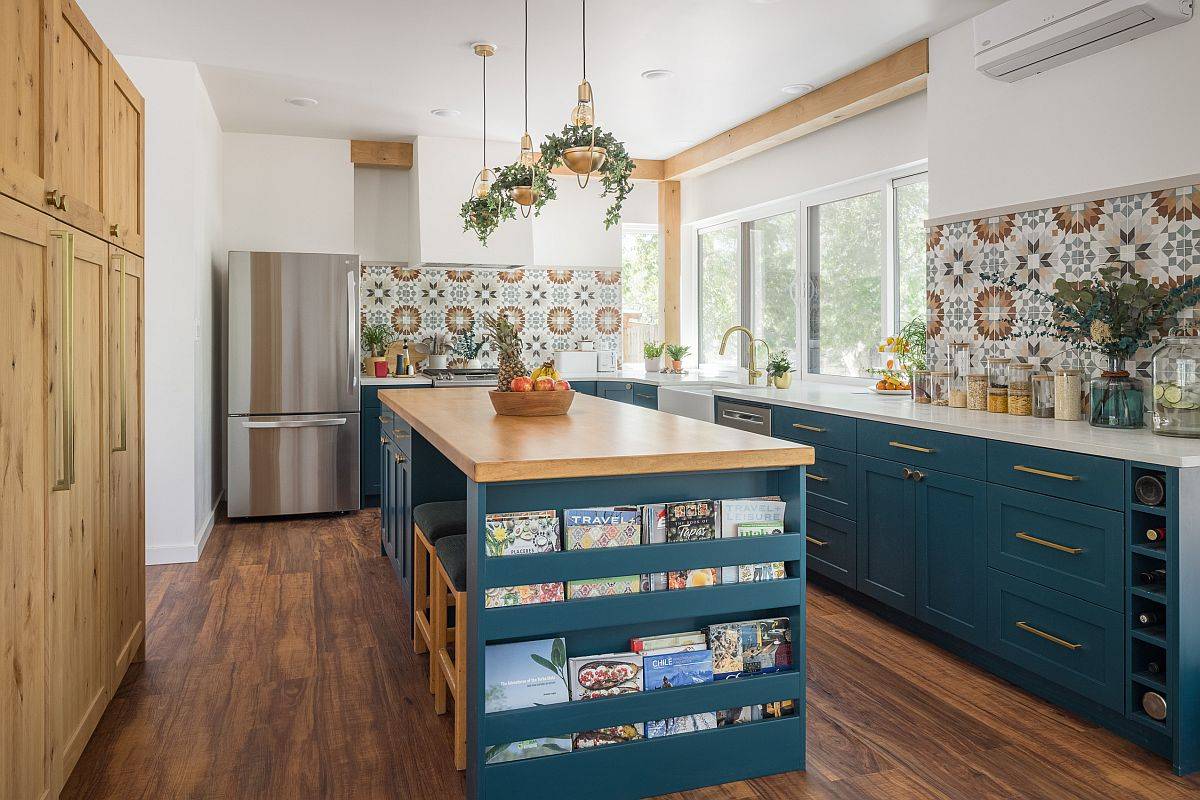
column 183, row 154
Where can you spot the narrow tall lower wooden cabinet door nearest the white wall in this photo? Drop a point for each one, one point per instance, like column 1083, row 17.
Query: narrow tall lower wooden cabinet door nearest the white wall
column 125, row 586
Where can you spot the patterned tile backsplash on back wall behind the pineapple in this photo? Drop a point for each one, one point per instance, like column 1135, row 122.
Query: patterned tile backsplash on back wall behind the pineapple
column 554, row 309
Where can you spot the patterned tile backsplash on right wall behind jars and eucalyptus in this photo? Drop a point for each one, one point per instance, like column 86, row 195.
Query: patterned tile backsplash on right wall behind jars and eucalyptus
column 1156, row 234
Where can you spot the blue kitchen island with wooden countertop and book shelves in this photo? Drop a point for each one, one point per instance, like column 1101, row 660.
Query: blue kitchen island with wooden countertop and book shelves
column 451, row 444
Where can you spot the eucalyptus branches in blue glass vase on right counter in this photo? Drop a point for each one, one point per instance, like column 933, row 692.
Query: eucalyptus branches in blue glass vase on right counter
column 1113, row 315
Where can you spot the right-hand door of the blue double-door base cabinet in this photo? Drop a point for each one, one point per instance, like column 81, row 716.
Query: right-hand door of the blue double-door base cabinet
column 952, row 555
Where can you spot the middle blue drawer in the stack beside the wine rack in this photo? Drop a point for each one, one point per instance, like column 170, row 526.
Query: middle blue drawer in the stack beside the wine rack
column 1063, row 545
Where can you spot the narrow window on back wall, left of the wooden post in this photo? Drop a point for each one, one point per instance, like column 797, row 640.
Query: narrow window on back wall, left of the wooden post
column 640, row 290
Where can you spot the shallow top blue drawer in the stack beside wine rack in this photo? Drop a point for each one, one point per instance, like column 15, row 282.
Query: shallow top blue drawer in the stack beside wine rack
column 1089, row 479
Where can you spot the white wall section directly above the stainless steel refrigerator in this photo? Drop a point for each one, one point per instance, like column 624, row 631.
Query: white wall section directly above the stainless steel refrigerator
column 287, row 194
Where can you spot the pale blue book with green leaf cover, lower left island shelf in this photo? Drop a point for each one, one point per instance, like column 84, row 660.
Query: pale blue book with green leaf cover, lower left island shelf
column 521, row 676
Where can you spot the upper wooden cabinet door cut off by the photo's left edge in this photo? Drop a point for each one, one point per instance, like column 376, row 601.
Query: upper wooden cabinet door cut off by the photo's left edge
column 25, row 99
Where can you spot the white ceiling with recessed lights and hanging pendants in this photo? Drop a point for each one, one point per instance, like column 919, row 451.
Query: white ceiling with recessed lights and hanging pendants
column 380, row 67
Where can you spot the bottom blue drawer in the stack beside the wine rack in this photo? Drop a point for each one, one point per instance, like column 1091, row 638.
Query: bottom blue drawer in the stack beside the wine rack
column 1061, row 639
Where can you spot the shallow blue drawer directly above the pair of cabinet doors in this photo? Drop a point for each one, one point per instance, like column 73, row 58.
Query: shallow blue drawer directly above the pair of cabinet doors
column 946, row 453
